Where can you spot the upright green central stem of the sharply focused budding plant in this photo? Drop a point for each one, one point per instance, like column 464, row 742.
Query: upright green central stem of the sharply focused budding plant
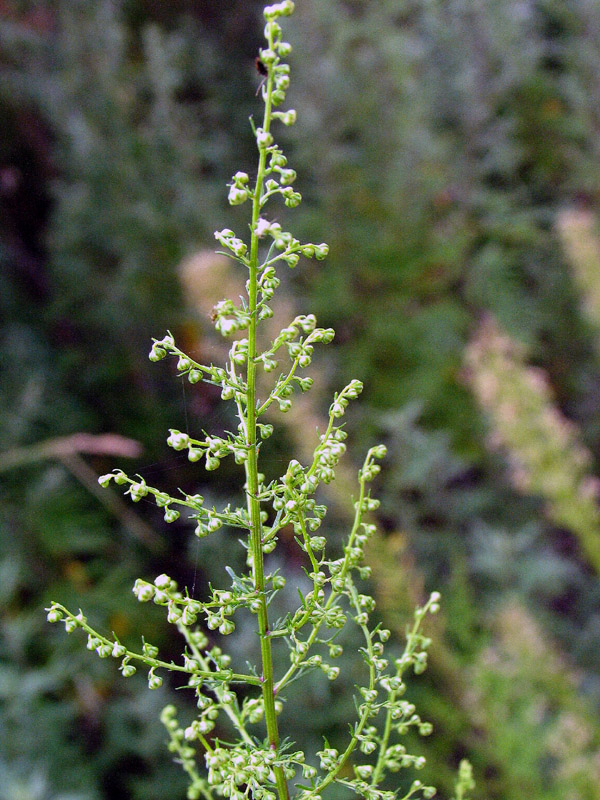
column 256, row 543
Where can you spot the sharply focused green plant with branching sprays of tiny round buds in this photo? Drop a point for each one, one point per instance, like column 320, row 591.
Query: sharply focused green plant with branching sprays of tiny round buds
column 234, row 747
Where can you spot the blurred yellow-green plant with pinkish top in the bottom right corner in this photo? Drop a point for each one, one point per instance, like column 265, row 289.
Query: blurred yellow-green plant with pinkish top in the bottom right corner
column 542, row 733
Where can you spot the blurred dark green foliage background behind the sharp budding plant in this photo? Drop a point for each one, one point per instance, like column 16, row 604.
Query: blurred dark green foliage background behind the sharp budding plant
column 449, row 153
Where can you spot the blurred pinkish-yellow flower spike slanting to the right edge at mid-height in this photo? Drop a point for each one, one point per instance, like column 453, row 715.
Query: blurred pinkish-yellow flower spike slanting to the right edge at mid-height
column 544, row 449
